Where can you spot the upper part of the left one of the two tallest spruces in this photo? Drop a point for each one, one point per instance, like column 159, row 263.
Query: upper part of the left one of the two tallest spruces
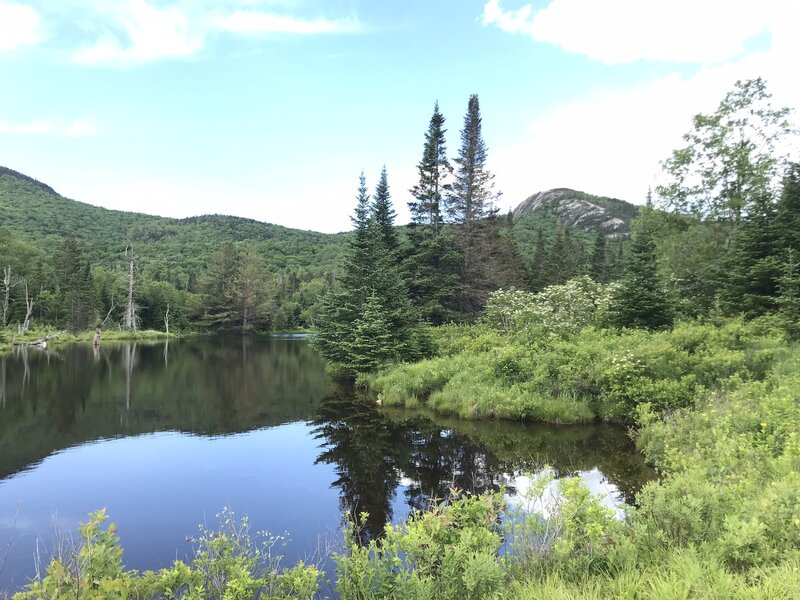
column 434, row 170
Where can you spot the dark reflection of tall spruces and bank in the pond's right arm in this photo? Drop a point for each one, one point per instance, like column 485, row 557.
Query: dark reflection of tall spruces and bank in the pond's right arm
column 378, row 453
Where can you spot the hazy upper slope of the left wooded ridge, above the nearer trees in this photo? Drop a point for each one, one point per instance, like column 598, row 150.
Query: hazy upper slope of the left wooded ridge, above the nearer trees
column 34, row 212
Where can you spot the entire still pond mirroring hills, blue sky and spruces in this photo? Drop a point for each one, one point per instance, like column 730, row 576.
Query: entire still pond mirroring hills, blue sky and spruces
column 166, row 436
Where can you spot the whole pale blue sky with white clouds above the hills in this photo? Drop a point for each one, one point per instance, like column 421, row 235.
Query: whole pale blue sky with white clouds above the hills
column 270, row 109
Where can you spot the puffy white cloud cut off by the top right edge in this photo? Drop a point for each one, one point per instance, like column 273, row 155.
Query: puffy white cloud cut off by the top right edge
column 623, row 31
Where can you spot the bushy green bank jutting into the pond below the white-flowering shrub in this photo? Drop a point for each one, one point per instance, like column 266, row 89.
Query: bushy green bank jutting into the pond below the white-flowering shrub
column 603, row 374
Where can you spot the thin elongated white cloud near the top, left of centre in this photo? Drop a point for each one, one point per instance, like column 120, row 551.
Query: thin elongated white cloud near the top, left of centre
column 257, row 23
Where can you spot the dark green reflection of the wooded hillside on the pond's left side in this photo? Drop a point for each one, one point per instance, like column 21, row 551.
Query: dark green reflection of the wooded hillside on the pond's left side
column 54, row 400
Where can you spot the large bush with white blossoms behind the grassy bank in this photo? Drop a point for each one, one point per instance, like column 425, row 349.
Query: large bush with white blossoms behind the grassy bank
column 560, row 308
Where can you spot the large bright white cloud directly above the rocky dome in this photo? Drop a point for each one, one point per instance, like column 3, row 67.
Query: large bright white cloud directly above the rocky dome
column 611, row 141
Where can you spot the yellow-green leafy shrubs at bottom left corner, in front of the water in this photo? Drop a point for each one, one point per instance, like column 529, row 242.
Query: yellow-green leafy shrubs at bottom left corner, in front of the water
column 229, row 564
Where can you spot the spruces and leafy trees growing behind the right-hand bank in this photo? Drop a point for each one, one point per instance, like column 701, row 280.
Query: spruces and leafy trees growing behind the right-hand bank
column 721, row 239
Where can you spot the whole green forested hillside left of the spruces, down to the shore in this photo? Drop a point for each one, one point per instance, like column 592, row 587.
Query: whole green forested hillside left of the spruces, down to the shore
column 72, row 256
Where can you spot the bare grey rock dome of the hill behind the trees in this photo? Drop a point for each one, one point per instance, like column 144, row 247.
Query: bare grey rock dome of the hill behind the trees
column 580, row 210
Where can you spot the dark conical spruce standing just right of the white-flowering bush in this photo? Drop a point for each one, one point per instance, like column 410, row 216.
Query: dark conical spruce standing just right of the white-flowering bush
column 640, row 300
